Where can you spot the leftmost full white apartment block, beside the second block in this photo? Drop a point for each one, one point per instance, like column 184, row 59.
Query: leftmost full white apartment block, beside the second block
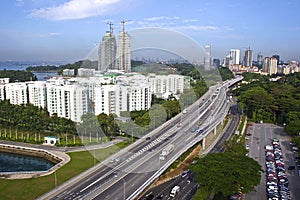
column 16, row 93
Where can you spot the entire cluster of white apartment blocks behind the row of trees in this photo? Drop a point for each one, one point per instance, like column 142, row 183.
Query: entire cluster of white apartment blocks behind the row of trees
column 111, row 93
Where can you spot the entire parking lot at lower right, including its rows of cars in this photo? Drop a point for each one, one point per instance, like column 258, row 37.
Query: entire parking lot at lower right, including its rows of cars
column 258, row 137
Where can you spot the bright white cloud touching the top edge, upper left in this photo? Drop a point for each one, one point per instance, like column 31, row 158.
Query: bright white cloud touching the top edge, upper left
column 76, row 9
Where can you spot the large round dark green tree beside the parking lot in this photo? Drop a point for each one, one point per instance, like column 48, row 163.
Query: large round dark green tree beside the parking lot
column 227, row 173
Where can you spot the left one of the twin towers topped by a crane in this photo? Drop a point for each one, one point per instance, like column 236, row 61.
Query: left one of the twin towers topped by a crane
column 107, row 51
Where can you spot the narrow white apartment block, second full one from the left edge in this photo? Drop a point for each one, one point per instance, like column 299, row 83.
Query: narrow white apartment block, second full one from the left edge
column 37, row 93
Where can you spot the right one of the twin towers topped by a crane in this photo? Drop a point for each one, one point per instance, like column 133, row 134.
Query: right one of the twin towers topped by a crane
column 123, row 50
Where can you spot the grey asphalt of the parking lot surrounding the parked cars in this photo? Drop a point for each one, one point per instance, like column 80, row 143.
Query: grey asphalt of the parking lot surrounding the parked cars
column 262, row 135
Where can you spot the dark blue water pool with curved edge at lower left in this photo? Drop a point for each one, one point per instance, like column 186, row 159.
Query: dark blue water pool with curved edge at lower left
column 10, row 162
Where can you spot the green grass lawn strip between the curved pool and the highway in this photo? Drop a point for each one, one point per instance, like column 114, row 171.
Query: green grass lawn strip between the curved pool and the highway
column 33, row 188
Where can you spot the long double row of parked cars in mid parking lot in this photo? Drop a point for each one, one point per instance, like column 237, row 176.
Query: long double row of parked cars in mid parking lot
column 276, row 178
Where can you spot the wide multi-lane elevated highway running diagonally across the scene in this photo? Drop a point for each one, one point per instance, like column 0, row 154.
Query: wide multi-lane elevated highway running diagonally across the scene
column 139, row 163
